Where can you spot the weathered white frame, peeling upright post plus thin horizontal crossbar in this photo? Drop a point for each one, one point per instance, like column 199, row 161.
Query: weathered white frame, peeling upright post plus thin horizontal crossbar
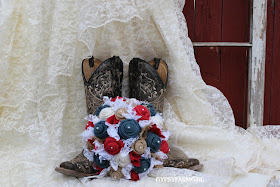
column 256, row 74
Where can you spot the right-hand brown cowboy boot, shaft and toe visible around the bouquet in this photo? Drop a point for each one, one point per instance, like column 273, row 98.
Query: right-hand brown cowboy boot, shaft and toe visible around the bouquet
column 147, row 82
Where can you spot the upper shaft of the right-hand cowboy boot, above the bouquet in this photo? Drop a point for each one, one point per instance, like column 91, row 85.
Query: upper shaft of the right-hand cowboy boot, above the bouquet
column 148, row 81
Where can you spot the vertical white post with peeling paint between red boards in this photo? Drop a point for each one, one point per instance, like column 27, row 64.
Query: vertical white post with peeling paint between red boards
column 257, row 65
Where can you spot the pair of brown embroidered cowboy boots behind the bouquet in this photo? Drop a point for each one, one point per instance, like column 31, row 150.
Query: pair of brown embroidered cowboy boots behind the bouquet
column 147, row 82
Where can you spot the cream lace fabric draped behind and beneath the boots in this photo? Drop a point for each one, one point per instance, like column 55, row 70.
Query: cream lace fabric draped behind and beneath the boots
column 42, row 99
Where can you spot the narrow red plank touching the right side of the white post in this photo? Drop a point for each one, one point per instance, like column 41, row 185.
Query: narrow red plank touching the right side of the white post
column 269, row 60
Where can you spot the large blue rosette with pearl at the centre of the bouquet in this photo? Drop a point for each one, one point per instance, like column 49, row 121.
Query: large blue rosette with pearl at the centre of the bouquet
column 129, row 128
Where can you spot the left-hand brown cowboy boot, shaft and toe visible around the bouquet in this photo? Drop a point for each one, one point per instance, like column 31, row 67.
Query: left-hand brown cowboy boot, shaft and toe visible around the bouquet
column 100, row 79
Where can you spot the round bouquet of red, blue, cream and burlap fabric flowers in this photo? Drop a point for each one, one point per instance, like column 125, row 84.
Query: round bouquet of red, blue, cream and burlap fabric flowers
column 126, row 138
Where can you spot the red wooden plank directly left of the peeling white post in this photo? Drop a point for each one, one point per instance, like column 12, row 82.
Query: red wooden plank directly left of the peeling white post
column 234, row 60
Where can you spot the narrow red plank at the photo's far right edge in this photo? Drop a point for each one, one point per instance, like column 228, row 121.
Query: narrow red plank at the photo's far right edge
column 275, row 89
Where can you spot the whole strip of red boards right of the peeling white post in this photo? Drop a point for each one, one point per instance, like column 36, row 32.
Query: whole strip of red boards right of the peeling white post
column 272, row 81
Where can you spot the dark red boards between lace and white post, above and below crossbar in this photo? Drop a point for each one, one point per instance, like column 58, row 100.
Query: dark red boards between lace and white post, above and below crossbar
column 222, row 67
